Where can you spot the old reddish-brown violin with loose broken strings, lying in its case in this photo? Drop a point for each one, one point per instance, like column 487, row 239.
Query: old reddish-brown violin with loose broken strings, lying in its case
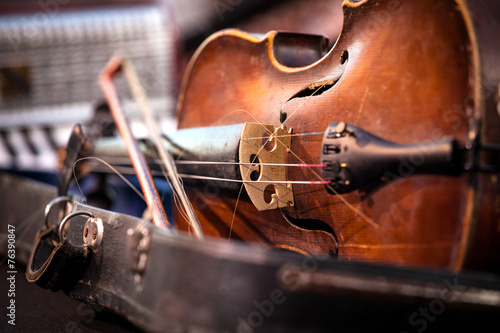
column 382, row 149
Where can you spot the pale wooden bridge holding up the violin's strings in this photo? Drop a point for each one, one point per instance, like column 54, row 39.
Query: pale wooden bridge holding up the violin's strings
column 262, row 164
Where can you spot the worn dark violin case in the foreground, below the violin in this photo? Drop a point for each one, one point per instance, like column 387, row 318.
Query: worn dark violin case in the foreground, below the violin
column 187, row 285
